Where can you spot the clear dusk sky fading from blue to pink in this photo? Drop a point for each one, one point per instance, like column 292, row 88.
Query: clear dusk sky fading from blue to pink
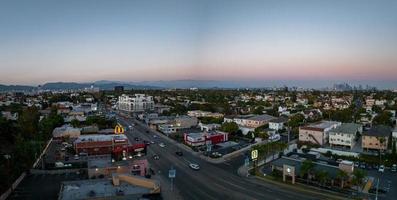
column 46, row 41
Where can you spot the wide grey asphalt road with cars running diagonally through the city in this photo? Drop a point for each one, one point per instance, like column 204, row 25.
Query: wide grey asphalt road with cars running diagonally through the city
column 212, row 181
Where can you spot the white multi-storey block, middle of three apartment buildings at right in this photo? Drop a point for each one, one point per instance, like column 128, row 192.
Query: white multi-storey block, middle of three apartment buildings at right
column 345, row 135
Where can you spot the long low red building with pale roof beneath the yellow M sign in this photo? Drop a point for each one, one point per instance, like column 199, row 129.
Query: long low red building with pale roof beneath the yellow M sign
column 99, row 144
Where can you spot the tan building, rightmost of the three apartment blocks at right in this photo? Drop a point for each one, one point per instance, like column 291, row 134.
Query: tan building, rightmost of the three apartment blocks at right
column 376, row 138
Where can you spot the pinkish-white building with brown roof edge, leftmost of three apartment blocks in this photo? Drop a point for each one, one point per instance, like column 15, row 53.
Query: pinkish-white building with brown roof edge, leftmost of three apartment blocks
column 317, row 133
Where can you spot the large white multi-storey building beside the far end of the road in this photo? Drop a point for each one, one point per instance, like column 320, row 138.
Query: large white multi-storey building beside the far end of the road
column 136, row 103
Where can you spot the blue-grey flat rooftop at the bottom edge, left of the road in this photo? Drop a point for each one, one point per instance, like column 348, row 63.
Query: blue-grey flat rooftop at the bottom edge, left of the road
column 100, row 188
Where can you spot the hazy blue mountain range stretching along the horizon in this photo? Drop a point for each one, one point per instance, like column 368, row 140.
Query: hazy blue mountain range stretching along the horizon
column 183, row 84
